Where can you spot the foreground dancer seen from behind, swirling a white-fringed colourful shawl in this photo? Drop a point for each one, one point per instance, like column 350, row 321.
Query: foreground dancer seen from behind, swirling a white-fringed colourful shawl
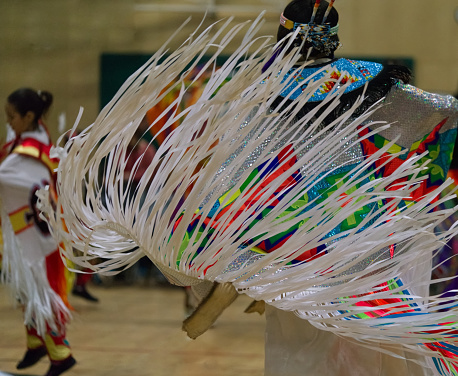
column 310, row 201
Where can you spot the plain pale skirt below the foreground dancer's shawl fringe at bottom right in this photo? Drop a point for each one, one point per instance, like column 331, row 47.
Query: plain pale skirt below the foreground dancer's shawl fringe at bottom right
column 296, row 348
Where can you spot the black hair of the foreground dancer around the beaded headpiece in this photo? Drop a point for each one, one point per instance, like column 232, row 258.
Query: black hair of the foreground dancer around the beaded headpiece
column 301, row 11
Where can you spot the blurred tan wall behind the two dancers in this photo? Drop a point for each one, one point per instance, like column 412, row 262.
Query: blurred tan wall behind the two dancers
column 58, row 45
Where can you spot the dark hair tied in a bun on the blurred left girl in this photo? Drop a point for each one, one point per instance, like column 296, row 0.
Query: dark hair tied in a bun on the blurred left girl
column 26, row 99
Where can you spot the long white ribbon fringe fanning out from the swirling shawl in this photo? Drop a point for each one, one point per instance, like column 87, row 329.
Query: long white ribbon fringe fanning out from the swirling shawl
column 104, row 225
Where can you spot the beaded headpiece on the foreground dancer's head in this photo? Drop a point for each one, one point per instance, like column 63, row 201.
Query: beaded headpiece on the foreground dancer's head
column 318, row 36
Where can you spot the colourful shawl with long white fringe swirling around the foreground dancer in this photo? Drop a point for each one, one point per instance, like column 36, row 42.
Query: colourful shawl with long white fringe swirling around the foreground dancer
column 351, row 283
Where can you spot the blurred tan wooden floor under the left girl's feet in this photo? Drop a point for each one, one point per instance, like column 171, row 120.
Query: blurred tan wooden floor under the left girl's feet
column 136, row 331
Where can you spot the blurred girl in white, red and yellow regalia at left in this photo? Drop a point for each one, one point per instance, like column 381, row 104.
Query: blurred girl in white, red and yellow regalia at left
column 32, row 266
